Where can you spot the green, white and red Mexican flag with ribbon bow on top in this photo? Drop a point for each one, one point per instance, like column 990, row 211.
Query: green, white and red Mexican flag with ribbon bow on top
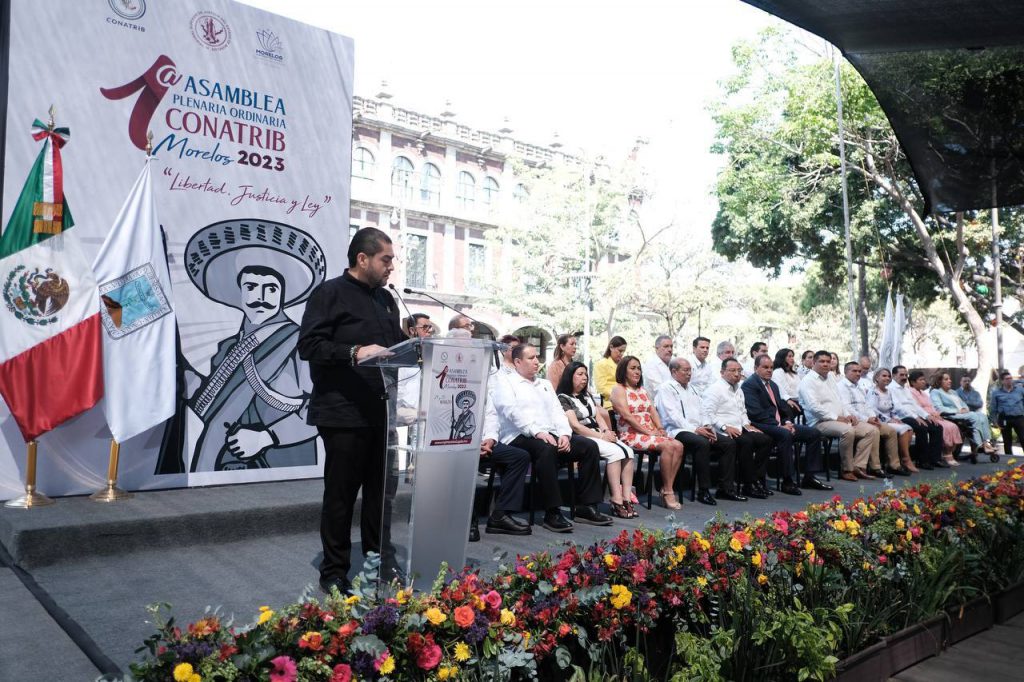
column 51, row 355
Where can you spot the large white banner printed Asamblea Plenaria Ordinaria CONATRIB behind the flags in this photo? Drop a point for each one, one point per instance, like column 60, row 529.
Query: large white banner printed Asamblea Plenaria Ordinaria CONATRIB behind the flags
column 250, row 116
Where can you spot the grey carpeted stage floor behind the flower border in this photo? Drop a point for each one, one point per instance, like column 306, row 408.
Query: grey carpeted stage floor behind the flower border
column 77, row 576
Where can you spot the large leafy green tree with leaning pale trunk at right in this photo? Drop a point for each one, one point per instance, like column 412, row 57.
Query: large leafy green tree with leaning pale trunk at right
column 780, row 194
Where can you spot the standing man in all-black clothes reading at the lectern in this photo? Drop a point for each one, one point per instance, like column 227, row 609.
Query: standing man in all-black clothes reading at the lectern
column 348, row 319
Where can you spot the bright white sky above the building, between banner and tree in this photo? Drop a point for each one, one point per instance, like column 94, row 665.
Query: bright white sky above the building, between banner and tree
column 599, row 74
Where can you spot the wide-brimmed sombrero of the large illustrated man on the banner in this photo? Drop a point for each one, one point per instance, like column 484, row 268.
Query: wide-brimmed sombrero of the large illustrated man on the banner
column 217, row 254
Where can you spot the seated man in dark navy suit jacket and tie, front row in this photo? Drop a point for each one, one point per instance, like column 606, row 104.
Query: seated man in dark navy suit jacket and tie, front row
column 771, row 413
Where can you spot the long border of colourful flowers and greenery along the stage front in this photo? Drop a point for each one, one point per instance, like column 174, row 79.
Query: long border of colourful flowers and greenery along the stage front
column 783, row 598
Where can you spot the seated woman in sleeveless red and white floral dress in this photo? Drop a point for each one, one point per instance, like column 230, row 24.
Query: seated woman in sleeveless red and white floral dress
column 641, row 428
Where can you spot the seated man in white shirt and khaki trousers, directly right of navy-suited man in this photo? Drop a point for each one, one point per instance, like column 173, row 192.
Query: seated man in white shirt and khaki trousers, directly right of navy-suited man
column 825, row 411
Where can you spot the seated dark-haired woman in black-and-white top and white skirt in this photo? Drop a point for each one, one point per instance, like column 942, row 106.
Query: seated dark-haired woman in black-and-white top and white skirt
column 591, row 421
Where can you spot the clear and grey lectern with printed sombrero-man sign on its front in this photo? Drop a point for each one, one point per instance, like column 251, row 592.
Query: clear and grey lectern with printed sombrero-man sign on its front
column 428, row 515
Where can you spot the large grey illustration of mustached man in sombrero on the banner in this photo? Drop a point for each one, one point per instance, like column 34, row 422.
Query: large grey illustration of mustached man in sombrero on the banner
column 253, row 403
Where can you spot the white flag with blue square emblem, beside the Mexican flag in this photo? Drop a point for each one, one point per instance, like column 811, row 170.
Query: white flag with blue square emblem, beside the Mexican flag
column 138, row 320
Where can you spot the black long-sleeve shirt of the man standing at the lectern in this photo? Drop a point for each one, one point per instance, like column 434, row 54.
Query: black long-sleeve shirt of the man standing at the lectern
column 340, row 314
